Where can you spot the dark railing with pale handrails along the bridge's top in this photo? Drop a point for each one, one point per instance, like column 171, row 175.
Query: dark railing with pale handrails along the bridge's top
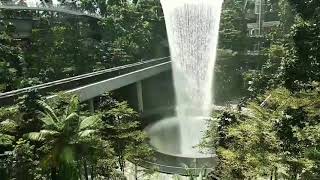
column 9, row 98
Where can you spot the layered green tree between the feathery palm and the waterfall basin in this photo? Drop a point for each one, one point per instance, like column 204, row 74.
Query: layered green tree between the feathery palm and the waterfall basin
column 122, row 129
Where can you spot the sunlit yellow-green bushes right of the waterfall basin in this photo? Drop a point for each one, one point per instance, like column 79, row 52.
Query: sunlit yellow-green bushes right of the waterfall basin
column 278, row 140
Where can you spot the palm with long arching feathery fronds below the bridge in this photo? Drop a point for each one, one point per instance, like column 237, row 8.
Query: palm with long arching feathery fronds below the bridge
column 65, row 138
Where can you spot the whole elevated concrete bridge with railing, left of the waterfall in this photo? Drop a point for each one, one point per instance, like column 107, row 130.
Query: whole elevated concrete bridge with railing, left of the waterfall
column 91, row 85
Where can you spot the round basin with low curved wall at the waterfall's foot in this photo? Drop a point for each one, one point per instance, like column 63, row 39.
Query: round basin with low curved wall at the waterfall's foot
column 171, row 154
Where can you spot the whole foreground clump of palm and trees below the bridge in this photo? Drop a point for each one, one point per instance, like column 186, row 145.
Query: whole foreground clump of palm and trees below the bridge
column 60, row 139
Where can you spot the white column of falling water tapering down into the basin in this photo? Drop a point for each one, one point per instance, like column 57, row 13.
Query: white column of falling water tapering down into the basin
column 192, row 28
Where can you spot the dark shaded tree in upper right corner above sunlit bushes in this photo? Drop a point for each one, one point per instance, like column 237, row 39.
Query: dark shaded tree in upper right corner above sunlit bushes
column 303, row 68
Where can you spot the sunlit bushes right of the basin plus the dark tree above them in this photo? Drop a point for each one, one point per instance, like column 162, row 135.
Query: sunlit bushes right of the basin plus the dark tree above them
column 274, row 133
